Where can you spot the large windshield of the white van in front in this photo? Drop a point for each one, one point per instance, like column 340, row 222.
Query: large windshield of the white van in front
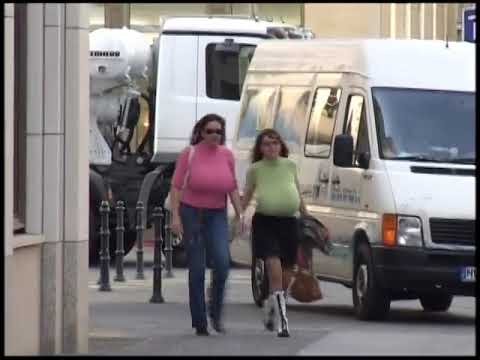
column 425, row 125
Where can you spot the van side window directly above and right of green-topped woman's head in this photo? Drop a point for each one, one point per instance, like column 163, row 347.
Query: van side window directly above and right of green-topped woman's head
column 293, row 102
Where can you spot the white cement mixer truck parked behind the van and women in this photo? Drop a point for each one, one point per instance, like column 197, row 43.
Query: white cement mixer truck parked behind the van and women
column 196, row 66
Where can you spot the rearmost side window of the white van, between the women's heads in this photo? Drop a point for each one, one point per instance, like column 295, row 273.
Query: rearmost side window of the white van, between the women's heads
column 257, row 111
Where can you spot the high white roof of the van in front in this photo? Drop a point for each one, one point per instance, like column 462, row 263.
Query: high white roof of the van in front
column 385, row 62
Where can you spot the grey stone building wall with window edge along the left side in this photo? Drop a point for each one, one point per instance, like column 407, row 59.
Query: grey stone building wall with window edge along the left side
column 46, row 92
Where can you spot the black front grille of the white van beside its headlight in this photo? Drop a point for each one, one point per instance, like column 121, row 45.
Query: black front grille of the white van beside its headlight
column 453, row 231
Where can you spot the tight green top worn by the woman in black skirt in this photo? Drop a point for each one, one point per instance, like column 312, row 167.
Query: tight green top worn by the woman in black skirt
column 275, row 187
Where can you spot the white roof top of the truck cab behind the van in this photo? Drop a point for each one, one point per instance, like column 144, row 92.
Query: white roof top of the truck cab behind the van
column 224, row 24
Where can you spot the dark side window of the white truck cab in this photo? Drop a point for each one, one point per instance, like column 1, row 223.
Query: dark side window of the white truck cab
column 226, row 68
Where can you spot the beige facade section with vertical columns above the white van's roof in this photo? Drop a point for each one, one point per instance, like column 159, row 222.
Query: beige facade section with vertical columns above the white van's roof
column 437, row 21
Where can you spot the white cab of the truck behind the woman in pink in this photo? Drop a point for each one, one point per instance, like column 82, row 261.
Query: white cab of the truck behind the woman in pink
column 202, row 63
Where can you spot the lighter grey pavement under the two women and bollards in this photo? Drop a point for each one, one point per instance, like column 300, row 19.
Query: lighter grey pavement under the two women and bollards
column 123, row 322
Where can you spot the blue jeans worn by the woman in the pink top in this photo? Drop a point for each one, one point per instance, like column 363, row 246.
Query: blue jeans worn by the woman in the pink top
column 205, row 231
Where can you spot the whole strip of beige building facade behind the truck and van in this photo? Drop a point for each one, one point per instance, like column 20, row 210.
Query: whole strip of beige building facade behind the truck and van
column 376, row 20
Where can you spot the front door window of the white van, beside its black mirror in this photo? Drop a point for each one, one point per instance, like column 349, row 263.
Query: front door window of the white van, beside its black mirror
column 356, row 125
